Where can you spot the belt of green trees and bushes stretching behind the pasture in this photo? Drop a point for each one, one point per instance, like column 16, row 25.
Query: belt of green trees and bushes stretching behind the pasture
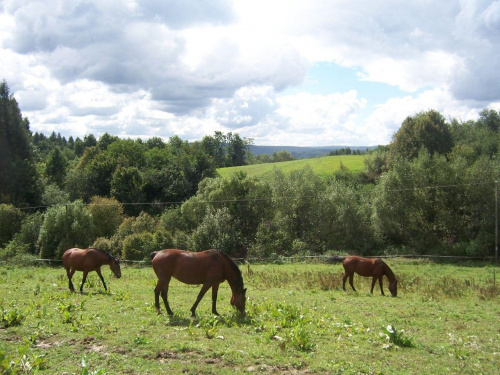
column 430, row 191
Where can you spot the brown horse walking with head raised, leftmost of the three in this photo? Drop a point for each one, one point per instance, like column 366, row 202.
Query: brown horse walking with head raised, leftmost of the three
column 88, row 260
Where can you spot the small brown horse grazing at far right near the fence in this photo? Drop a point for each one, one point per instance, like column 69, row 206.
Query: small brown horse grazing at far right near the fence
column 368, row 267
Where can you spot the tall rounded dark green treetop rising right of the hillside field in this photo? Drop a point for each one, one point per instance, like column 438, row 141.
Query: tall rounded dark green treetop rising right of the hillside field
column 427, row 130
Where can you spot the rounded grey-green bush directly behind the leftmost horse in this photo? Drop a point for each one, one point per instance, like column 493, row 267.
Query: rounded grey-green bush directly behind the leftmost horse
column 65, row 227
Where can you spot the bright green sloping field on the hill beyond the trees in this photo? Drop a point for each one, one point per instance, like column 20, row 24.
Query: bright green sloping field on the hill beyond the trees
column 323, row 166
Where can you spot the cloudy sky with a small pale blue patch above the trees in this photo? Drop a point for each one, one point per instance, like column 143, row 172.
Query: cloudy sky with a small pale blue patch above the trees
column 278, row 72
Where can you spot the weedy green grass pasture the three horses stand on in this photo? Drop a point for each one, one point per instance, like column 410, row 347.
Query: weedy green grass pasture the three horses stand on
column 299, row 321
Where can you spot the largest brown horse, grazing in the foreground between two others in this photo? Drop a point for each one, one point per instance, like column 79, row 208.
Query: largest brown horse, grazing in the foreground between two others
column 209, row 268
